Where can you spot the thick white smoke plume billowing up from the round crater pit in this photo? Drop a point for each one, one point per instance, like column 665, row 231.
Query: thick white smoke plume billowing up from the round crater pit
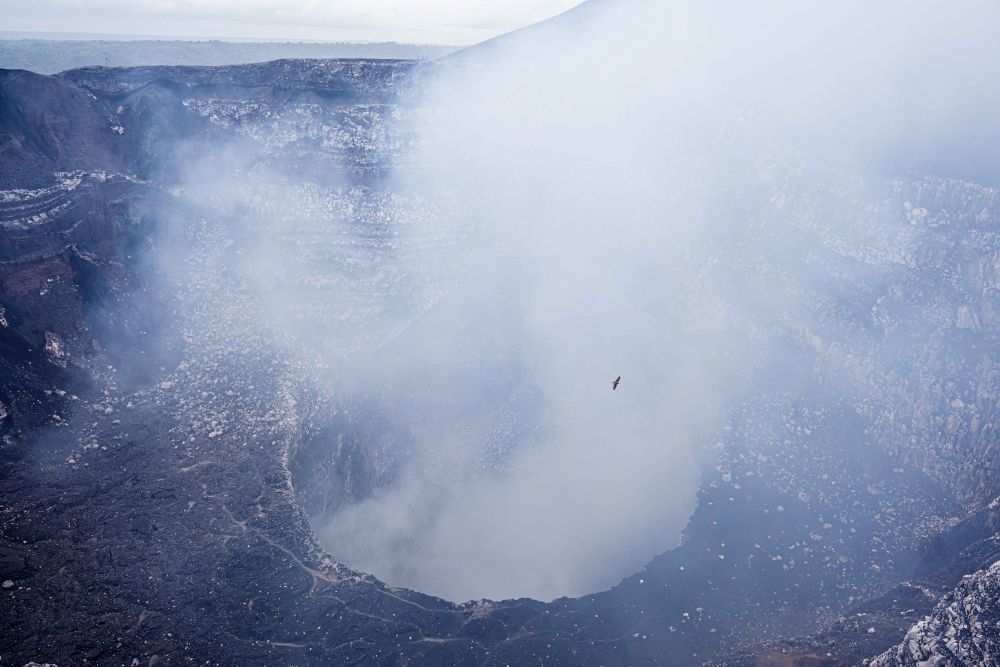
column 570, row 189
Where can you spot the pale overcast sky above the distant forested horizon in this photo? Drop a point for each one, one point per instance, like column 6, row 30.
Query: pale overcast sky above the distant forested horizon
column 415, row 21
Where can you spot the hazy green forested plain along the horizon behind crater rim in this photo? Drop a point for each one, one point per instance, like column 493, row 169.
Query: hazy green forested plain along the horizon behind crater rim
column 46, row 56
